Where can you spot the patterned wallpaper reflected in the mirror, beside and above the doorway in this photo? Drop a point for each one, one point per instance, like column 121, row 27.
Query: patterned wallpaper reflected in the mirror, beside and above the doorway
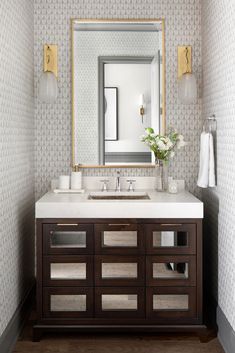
column 86, row 76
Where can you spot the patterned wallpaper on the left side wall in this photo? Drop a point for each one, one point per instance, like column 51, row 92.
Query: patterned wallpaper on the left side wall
column 16, row 155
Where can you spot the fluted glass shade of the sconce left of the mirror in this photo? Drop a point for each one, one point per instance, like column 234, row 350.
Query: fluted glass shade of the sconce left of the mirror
column 48, row 89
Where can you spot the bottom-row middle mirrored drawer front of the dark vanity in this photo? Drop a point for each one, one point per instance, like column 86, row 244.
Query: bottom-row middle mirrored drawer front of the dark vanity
column 120, row 302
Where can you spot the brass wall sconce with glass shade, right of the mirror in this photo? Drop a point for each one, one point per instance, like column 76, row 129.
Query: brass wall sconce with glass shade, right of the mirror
column 187, row 84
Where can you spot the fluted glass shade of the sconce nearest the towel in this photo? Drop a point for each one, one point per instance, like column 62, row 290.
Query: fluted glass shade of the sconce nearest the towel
column 187, row 88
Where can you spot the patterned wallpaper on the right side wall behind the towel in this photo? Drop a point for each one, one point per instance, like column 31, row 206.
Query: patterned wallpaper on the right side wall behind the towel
column 218, row 37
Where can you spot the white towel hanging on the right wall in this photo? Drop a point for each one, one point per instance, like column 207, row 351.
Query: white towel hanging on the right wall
column 206, row 176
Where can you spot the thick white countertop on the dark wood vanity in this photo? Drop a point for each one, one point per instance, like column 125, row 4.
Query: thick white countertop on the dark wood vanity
column 160, row 205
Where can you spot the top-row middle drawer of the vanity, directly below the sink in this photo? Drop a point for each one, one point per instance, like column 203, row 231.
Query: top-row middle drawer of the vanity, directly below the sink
column 119, row 238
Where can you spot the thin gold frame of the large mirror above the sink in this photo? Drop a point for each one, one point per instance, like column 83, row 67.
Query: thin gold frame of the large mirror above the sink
column 163, row 120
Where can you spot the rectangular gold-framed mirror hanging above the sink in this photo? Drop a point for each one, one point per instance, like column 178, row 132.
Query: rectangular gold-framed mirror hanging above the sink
column 118, row 67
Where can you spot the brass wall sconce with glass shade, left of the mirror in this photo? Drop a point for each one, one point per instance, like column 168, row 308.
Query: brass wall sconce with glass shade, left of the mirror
column 48, row 88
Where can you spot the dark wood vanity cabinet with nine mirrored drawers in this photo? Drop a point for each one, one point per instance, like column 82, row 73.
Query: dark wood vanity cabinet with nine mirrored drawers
column 119, row 274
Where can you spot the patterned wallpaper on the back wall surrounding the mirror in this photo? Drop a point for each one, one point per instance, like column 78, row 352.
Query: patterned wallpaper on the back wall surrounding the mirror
column 53, row 122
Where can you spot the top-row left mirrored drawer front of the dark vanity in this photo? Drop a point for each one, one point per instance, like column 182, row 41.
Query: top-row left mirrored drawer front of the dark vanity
column 67, row 239
